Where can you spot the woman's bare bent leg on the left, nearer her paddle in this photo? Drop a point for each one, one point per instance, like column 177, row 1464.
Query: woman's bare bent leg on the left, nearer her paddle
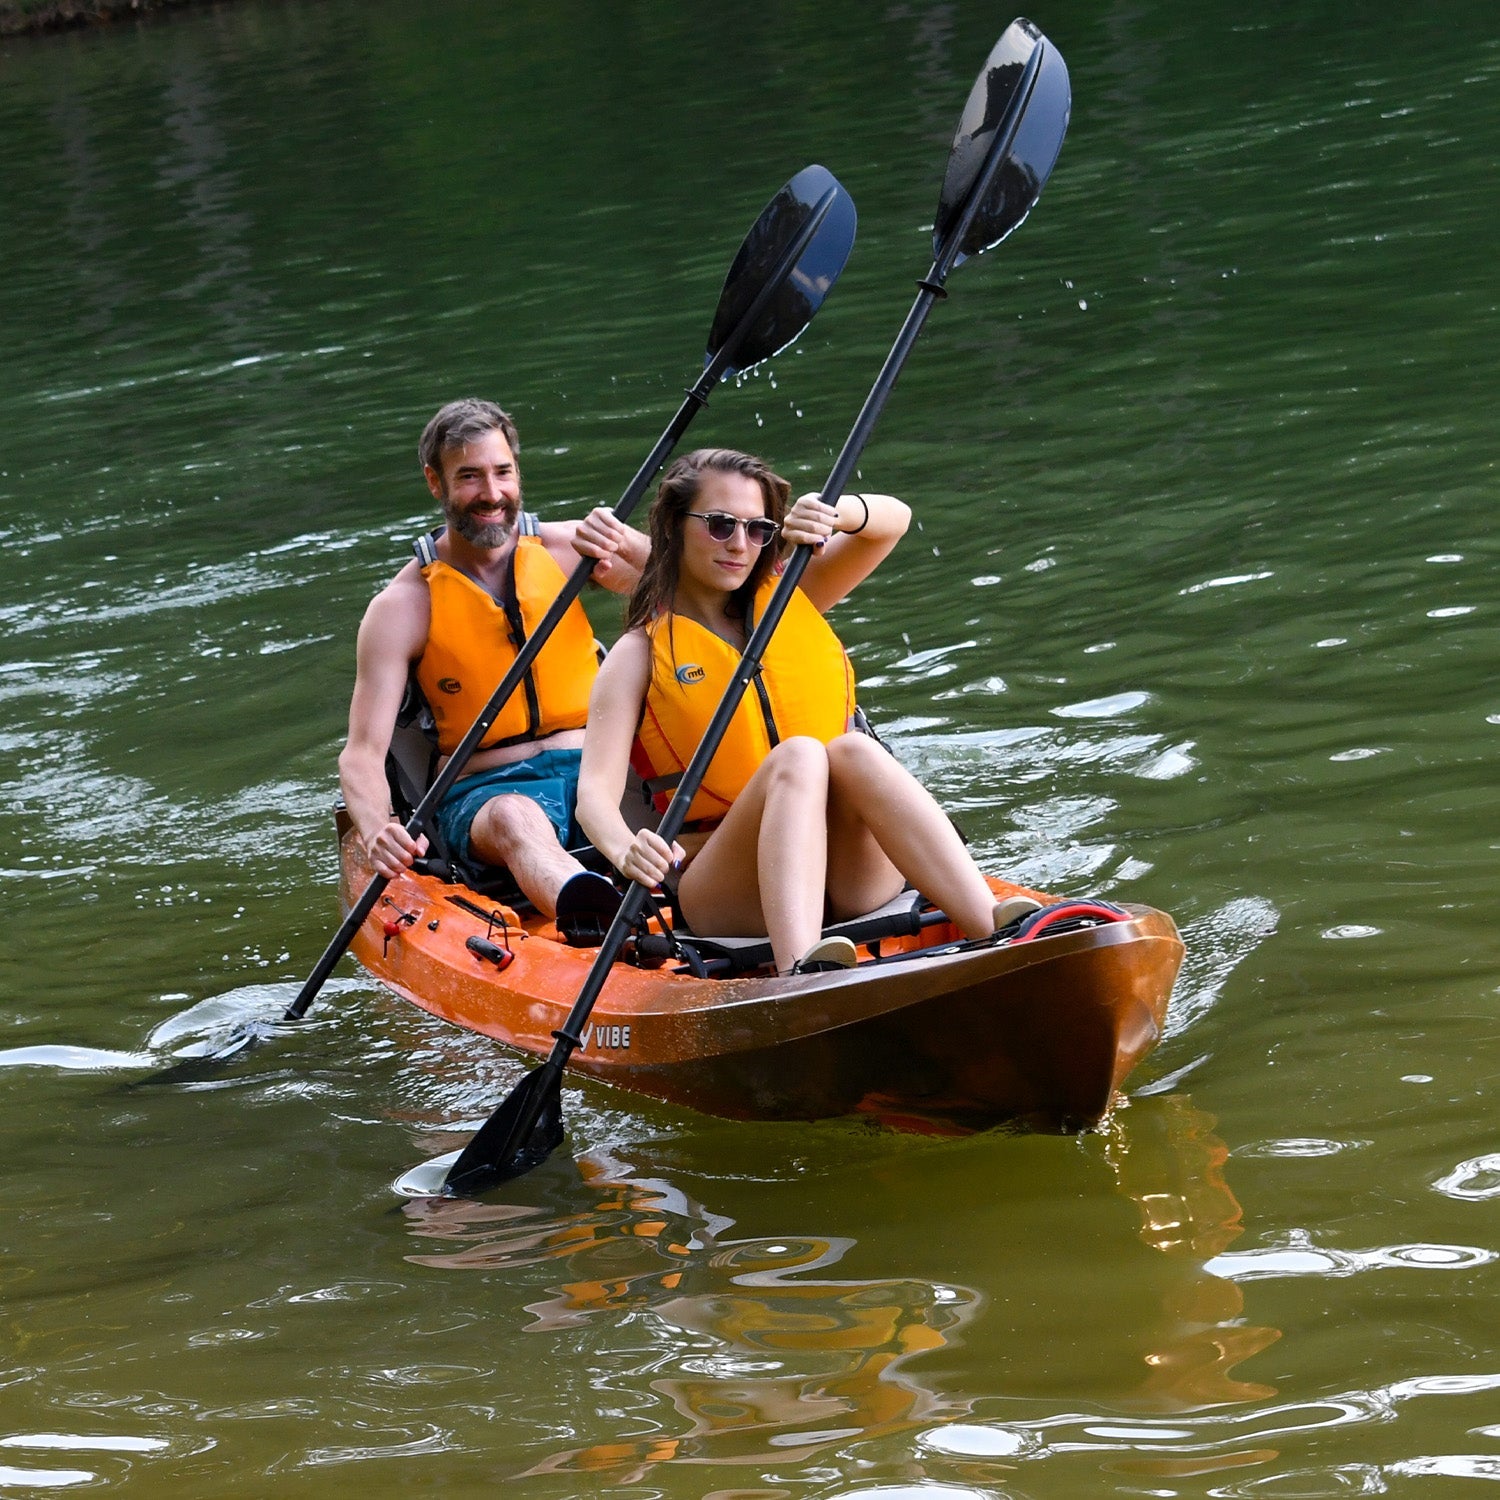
column 763, row 869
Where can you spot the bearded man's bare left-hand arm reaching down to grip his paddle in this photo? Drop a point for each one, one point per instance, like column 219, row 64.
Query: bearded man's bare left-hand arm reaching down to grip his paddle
column 392, row 635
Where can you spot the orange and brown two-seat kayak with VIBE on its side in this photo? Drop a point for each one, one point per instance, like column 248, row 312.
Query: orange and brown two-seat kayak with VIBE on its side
column 1040, row 1027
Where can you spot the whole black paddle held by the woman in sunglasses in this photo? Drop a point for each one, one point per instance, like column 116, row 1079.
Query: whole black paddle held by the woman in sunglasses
column 1003, row 155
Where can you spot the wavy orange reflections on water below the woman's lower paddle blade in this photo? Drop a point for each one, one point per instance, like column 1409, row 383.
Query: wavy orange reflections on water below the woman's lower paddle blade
column 760, row 1357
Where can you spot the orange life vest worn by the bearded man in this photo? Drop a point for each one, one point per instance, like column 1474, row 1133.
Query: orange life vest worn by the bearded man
column 475, row 638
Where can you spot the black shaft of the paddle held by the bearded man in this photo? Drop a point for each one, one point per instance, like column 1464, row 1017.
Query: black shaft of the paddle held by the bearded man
column 530, row 649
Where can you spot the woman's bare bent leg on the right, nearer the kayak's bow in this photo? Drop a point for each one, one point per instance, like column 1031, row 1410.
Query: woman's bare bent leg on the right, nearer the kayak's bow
column 886, row 827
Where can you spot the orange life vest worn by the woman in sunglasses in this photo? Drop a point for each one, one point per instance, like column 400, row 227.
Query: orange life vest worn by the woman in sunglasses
column 805, row 688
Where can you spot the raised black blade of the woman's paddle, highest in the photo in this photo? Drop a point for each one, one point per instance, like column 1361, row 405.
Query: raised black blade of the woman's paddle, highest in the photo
column 998, row 106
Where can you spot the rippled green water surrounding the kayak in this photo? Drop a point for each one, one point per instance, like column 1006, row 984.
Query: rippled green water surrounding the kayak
column 1196, row 616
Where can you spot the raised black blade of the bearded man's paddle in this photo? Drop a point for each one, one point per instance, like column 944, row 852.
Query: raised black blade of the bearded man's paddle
column 802, row 287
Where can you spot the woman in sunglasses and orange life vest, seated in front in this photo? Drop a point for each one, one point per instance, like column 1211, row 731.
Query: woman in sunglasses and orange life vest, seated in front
column 794, row 820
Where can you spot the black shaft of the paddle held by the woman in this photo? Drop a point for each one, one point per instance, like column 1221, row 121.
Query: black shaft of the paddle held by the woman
column 929, row 290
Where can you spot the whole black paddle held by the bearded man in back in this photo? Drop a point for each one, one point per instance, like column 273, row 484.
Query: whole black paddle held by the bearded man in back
column 785, row 269
